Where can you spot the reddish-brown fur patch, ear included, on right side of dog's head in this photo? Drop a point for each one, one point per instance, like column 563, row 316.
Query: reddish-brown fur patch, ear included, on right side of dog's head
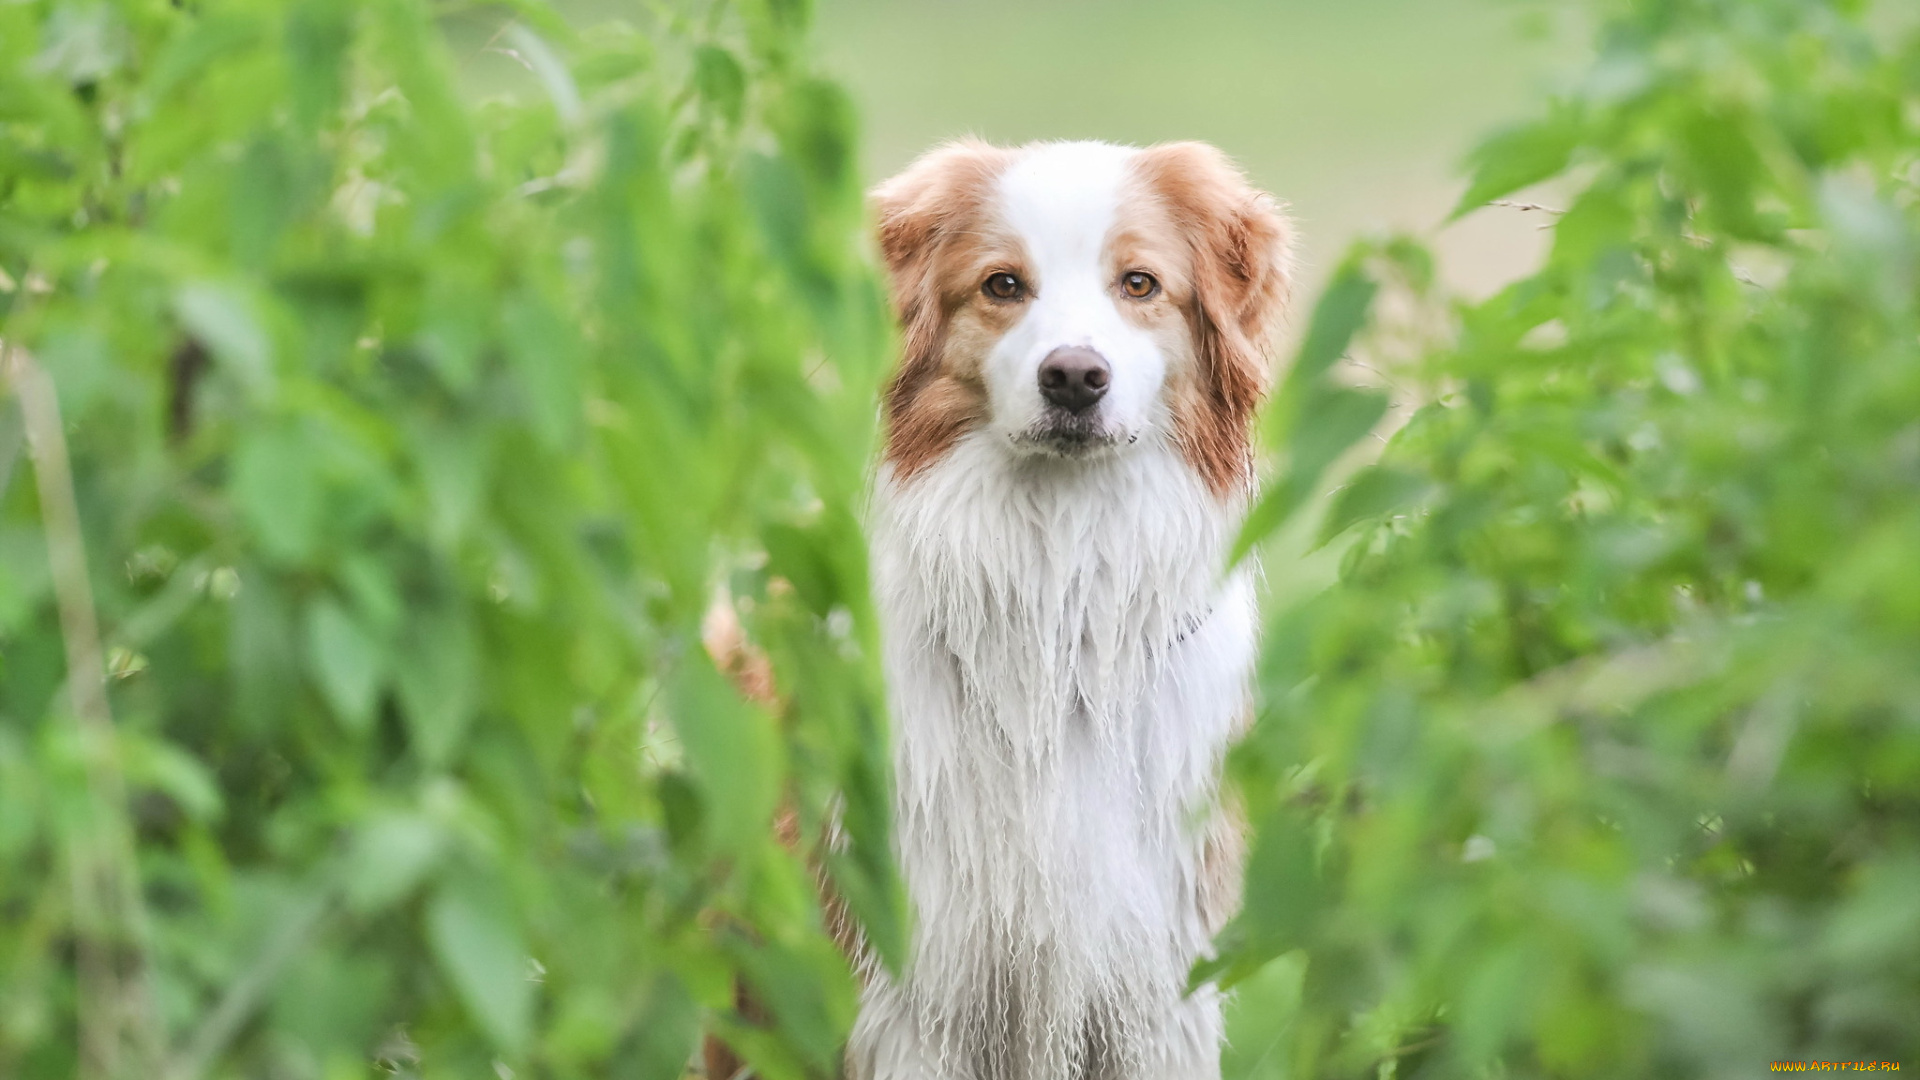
column 1239, row 249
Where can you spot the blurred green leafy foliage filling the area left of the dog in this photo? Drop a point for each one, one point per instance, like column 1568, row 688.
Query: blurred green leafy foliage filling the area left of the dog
column 412, row 435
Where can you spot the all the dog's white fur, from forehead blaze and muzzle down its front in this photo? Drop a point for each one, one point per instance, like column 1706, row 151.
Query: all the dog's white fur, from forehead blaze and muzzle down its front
column 1067, row 670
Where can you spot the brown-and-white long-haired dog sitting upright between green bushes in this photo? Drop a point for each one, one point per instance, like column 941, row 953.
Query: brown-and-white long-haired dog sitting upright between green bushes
column 1065, row 468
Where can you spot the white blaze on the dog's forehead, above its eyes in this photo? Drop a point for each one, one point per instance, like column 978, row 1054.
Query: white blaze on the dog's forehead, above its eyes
column 1063, row 199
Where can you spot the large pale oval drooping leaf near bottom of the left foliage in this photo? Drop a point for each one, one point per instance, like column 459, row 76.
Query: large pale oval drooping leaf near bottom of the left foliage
column 479, row 946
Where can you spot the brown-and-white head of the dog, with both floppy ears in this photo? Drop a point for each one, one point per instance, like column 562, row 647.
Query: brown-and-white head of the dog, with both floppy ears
column 1080, row 299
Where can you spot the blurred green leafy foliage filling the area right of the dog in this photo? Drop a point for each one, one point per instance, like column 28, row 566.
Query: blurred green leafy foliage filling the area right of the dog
column 1602, row 758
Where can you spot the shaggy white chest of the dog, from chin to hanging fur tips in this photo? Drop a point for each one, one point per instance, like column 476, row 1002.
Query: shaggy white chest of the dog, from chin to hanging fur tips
column 1061, row 691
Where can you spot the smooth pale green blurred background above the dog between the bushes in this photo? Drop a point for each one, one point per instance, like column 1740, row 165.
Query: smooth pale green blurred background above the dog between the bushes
column 1356, row 114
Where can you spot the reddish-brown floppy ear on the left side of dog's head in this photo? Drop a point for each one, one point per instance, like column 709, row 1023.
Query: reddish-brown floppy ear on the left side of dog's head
column 923, row 210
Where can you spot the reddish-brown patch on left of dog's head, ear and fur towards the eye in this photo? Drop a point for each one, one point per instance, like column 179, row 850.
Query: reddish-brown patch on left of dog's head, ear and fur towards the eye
column 934, row 239
